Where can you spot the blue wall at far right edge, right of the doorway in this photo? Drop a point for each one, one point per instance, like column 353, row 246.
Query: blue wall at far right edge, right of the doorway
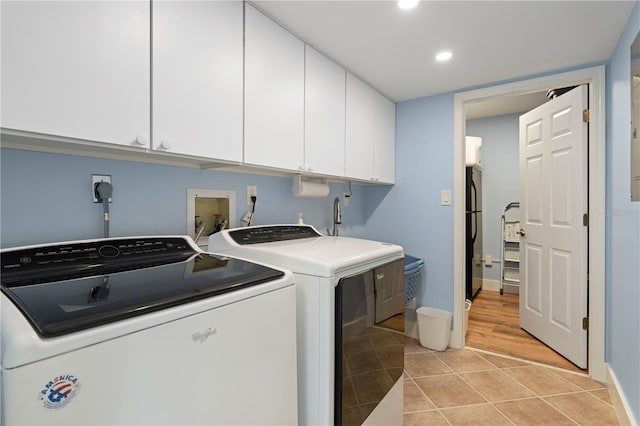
column 623, row 227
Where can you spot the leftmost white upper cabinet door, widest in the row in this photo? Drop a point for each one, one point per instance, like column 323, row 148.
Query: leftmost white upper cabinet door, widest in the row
column 77, row 69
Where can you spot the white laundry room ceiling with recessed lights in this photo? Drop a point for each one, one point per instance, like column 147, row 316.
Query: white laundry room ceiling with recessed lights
column 492, row 41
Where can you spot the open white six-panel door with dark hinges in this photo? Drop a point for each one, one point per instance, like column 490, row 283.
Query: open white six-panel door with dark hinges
column 553, row 200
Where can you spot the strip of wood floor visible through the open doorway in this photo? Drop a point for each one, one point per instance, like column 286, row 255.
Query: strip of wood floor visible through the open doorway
column 494, row 326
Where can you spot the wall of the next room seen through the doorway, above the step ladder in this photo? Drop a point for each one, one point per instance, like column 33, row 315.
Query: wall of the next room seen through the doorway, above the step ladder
column 500, row 180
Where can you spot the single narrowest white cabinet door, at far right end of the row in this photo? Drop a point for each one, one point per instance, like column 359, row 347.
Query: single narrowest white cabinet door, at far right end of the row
column 384, row 139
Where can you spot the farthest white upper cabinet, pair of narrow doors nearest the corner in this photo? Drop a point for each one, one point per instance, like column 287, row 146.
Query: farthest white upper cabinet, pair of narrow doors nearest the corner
column 370, row 134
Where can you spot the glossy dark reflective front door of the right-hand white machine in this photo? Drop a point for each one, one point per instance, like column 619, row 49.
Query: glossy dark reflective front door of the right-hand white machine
column 368, row 359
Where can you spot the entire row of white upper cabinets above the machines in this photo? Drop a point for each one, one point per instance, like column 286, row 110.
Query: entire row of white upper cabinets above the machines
column 210, row 80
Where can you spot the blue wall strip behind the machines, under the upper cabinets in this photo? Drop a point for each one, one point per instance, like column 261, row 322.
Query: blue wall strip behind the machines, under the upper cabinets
column 46, row 198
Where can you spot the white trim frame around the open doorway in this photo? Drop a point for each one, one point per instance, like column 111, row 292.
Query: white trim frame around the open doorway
column 595, row 78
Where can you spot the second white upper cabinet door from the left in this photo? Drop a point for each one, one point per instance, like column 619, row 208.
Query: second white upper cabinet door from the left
column 197, row 78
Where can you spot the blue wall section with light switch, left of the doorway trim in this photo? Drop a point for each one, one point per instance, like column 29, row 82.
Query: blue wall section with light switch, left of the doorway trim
column 410, row 212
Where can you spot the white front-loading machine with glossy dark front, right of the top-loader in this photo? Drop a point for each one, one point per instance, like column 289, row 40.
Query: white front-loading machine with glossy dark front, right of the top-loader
column 349, row 368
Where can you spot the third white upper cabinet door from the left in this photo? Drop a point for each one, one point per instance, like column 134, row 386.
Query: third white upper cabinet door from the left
column 274, row 94
